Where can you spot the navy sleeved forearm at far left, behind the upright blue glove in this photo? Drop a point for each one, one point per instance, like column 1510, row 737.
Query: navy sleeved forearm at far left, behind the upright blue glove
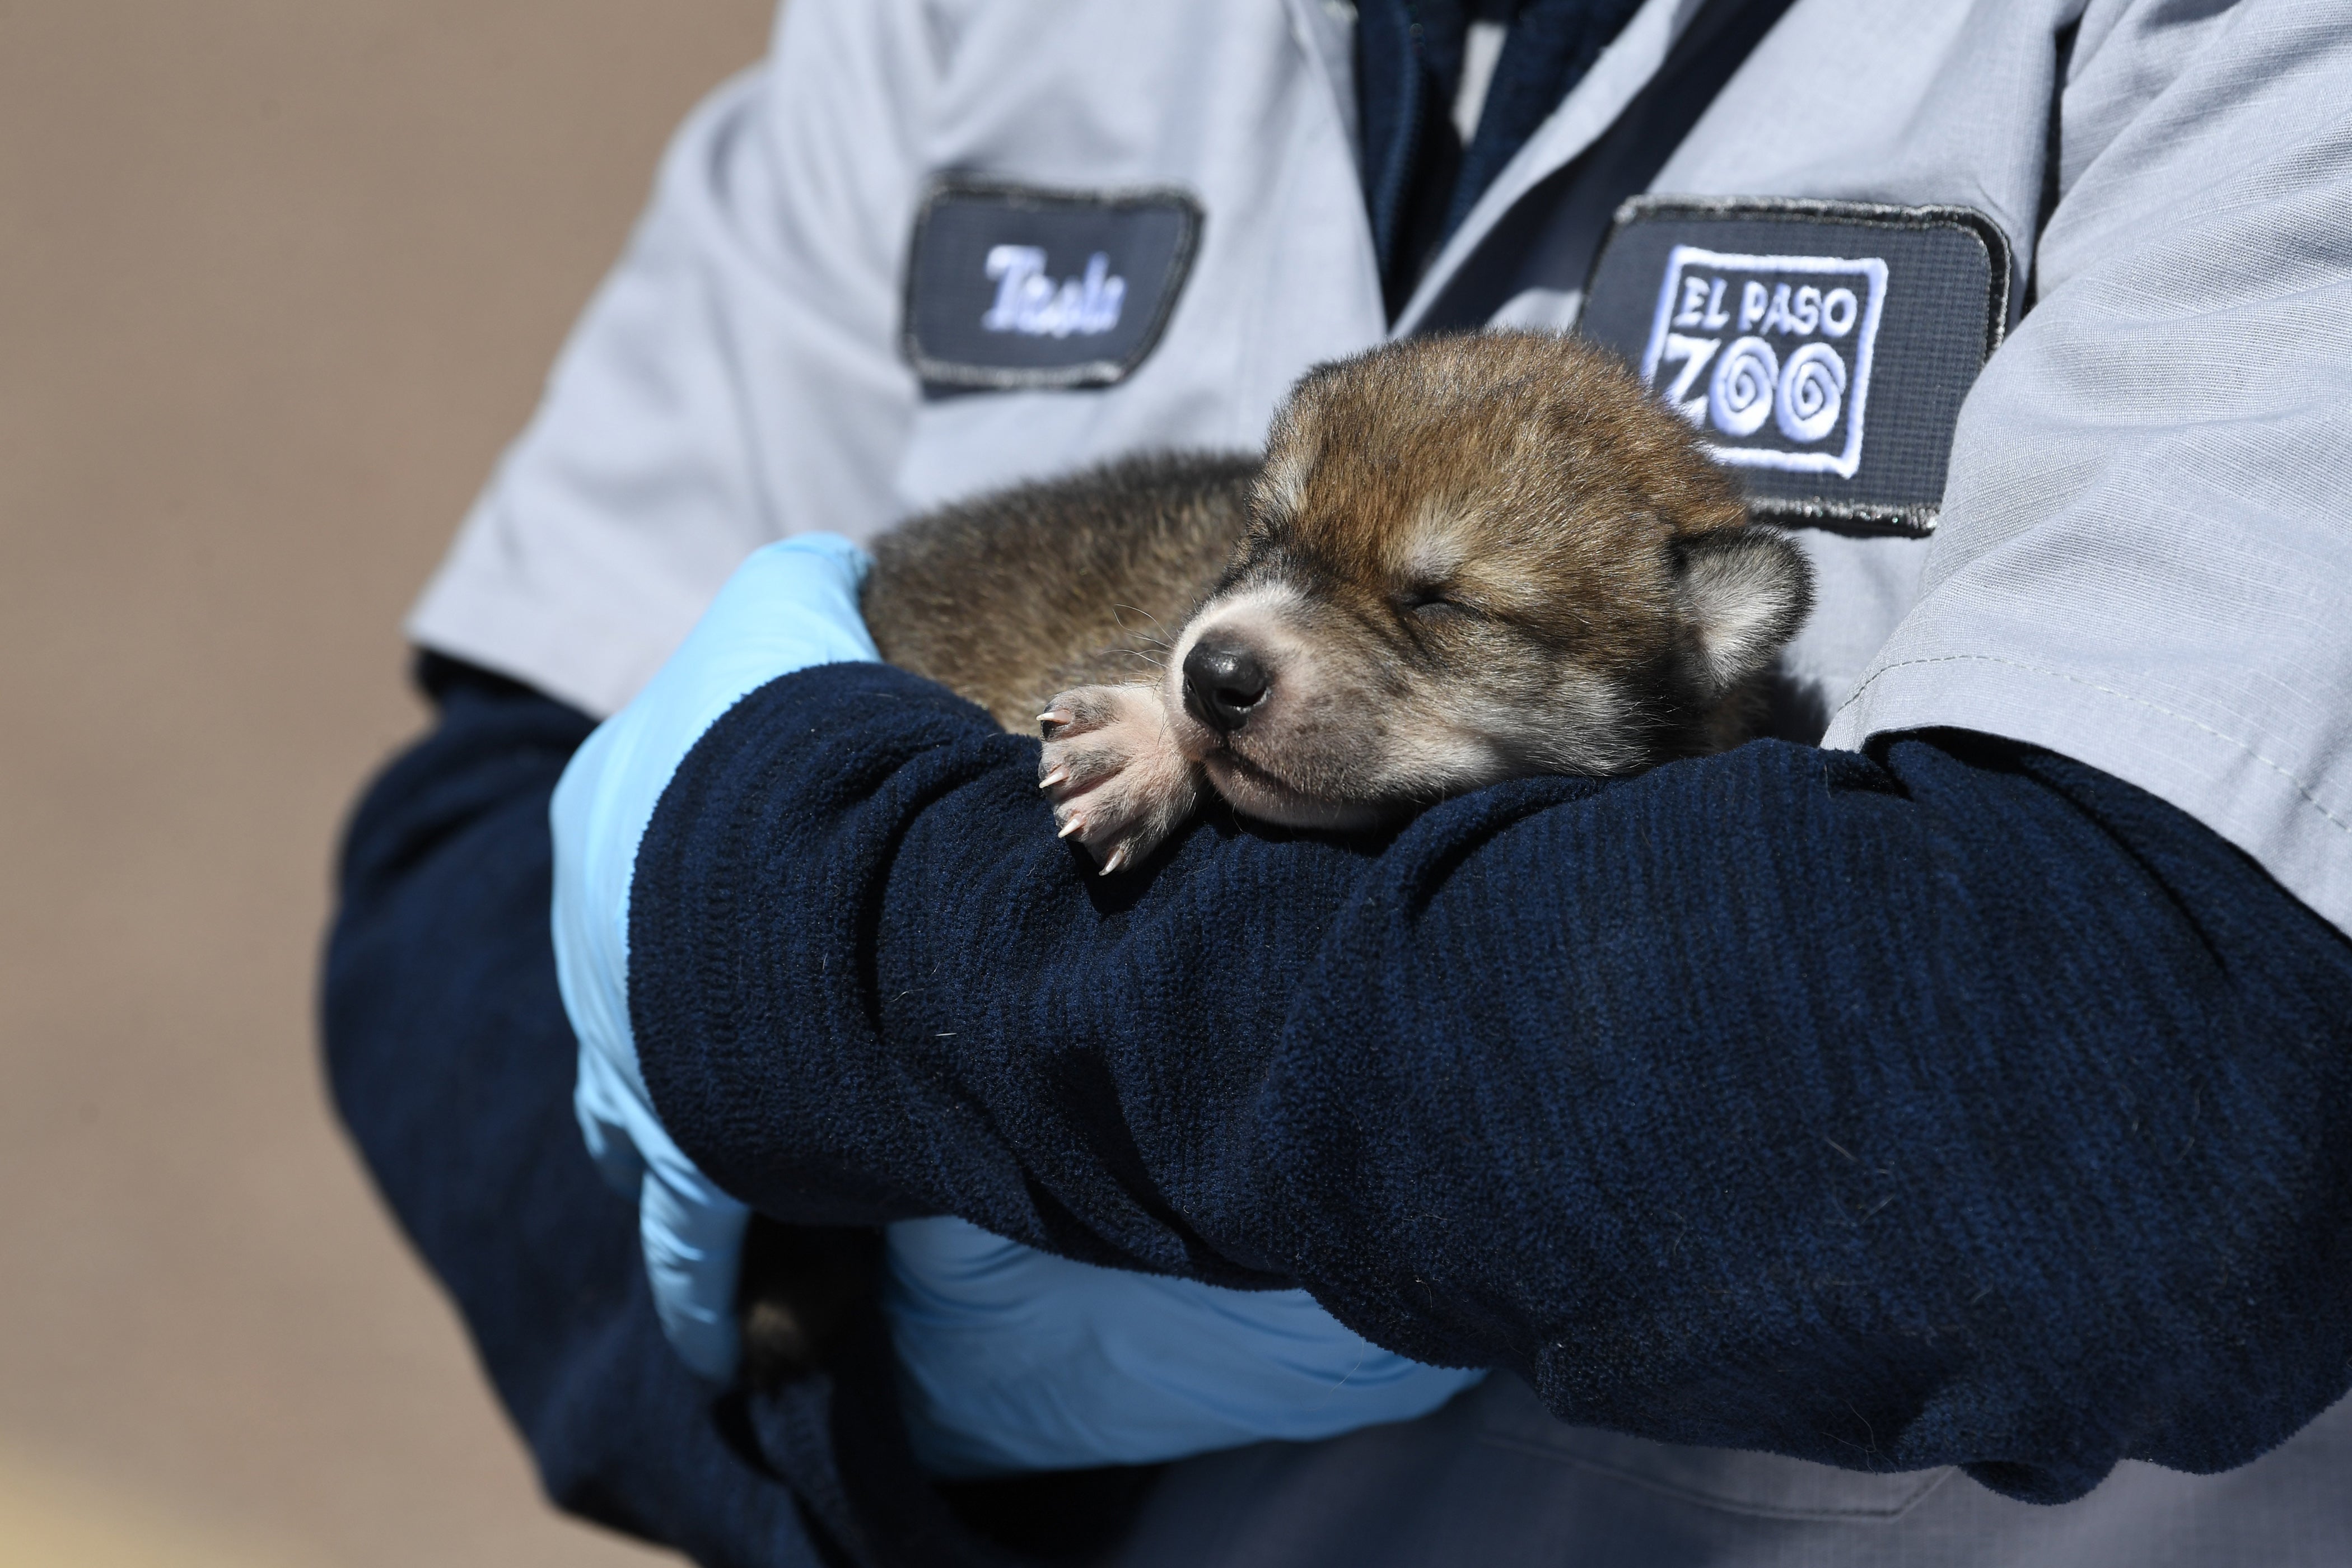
column 453, row 1066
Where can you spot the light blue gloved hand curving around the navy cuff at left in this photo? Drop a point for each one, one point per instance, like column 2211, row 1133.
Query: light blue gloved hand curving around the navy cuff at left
column 787, row 608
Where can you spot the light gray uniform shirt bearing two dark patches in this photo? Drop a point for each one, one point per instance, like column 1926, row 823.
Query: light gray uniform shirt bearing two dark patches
column 2144, row 551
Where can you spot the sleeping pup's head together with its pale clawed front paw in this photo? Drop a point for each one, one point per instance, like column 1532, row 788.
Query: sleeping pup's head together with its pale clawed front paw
column 1466, row 561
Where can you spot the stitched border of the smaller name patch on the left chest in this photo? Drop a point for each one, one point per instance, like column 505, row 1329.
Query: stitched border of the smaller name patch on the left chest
column 944, row 370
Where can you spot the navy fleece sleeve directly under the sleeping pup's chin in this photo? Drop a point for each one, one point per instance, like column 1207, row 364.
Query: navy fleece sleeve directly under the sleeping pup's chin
column 1953, row 1104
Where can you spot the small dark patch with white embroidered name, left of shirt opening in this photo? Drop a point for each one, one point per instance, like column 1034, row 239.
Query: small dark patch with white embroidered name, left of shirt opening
column 1022, row 288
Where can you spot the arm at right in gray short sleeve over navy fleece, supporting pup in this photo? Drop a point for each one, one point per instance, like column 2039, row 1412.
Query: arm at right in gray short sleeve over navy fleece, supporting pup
column 1942, row 1106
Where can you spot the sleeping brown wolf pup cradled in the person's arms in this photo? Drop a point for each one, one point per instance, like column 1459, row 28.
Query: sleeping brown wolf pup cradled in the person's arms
column 1462, row 561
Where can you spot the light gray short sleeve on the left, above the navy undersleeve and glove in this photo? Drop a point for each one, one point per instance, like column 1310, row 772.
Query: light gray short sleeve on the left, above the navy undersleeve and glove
column 733, row 382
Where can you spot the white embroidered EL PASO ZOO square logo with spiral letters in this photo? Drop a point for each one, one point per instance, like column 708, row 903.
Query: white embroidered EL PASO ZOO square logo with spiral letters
column 1770, row 356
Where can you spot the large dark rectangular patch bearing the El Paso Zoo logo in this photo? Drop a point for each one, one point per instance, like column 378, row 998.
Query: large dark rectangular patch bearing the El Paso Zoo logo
column 1822, row 347
